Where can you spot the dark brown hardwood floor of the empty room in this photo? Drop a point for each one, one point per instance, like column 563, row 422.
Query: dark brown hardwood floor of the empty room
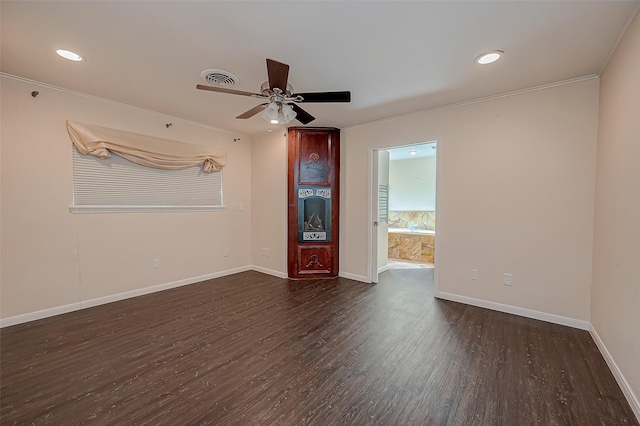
column 251, row 349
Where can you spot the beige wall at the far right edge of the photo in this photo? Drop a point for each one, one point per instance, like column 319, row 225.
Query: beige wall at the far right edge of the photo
column 615, row 305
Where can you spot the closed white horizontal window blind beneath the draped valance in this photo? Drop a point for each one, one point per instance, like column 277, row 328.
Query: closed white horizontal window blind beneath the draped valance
column 118, row 185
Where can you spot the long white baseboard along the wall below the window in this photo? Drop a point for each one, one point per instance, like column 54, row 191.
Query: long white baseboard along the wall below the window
column 58, row 310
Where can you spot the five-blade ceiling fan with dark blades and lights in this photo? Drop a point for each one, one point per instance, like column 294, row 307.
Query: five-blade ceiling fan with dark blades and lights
column 282, row 101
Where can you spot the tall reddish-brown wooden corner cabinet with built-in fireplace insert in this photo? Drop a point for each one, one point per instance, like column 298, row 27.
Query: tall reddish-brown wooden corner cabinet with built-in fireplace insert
column 314, row 198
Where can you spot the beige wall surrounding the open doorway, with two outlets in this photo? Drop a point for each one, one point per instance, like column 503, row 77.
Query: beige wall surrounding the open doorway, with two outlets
column 516, row 184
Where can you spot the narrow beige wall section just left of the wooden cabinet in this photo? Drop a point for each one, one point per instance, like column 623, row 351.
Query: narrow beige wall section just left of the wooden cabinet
column 269, row 192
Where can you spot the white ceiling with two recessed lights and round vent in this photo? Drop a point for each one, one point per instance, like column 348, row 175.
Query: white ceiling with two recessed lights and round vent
column 395, row 57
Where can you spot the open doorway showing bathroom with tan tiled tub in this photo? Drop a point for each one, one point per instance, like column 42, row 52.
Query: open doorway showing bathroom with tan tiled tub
column 405, row 178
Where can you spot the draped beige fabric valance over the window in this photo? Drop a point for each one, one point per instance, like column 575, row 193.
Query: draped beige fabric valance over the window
column 142, row 149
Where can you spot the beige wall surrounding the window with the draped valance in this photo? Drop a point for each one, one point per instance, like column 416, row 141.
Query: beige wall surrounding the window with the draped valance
column 52, row 258
